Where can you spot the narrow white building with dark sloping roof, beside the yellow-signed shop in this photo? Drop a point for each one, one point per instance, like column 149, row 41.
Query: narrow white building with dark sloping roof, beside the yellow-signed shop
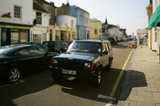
column 40, row 31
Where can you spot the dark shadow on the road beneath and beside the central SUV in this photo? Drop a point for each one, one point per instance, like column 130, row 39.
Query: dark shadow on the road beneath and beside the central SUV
column 84, row 88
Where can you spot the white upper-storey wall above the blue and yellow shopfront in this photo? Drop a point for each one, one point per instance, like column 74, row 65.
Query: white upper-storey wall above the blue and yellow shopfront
column 26, row 7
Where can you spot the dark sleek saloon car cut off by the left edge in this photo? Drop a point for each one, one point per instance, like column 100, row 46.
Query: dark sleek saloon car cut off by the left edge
column 17, row 60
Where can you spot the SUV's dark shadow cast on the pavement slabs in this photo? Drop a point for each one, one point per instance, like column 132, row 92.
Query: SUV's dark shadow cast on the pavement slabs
column 133, row 79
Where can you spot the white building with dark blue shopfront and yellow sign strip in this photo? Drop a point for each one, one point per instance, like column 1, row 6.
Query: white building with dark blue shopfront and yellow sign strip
column 15, row 21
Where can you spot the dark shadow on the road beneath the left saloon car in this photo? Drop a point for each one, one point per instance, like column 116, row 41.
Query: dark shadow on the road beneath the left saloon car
column 31, row 84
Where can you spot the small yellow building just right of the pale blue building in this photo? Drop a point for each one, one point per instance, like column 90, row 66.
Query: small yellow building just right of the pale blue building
column 96, row 27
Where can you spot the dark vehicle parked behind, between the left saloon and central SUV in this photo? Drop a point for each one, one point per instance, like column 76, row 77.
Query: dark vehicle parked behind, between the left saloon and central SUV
column 56, row 46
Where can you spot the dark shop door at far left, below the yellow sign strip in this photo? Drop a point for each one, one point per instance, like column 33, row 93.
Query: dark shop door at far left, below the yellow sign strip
column 6, row 36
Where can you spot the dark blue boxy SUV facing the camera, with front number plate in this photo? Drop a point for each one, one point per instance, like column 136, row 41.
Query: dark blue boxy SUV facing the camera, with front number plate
column 83, row 58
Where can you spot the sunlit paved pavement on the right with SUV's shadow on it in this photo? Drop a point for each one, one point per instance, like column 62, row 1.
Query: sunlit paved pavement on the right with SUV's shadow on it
column 141, row 86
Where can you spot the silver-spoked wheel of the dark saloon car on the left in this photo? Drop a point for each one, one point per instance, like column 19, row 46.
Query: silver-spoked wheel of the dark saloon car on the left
column 14, row 75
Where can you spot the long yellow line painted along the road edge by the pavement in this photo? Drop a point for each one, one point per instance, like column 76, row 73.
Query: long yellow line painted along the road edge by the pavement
column 120, row 75
